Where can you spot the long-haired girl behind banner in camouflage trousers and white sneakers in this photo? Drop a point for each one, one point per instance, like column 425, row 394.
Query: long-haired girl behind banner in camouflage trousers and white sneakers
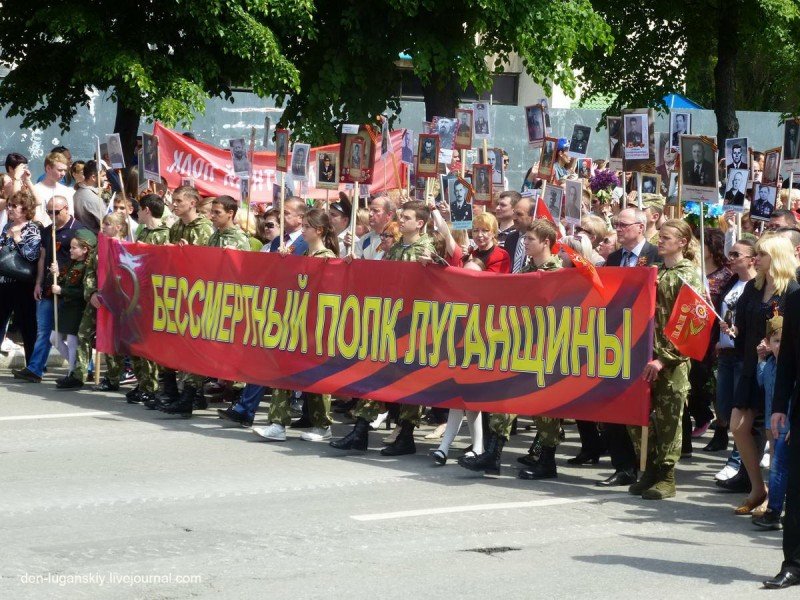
column 322, row 243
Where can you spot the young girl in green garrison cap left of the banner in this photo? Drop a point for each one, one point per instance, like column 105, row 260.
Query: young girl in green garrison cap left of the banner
column 69, row 290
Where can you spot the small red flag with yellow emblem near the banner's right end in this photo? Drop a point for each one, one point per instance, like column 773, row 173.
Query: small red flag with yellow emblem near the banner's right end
column 690, row 324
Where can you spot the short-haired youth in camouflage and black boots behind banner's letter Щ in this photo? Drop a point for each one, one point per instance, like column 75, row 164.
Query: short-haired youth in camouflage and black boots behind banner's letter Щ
column 538, row 240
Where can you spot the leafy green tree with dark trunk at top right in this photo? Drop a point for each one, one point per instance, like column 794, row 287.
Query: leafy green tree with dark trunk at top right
column 708, row 47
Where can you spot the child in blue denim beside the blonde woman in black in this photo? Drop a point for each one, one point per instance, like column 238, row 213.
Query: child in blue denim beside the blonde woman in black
column 778, row 472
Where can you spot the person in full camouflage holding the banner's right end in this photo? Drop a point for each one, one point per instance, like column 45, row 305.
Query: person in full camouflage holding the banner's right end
column 668, row 371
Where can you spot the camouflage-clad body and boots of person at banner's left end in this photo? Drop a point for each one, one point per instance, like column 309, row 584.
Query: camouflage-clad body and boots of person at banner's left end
column 86, row 337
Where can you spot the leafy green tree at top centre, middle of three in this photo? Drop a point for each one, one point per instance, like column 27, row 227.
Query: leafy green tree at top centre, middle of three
column 349, row 68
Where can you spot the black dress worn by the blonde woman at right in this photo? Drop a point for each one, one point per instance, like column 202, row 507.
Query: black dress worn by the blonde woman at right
column 752, row 315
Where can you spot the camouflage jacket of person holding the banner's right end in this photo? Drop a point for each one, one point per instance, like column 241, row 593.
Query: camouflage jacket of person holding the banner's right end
column 668, row 286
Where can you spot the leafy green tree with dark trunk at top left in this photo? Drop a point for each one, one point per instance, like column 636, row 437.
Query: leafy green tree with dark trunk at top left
column 161, row 60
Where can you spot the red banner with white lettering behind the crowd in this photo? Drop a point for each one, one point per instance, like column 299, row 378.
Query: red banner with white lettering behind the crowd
column 211, row 168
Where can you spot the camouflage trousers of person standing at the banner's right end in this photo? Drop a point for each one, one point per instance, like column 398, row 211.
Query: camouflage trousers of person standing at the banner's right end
column 668, row 397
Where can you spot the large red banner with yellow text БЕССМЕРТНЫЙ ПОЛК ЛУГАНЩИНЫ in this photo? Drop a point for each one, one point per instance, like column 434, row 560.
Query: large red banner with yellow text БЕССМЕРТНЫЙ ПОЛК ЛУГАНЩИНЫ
column 538, row 343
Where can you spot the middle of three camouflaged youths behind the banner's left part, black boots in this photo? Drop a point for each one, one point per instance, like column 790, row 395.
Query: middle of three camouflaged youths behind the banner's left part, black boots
column 191, row 229
